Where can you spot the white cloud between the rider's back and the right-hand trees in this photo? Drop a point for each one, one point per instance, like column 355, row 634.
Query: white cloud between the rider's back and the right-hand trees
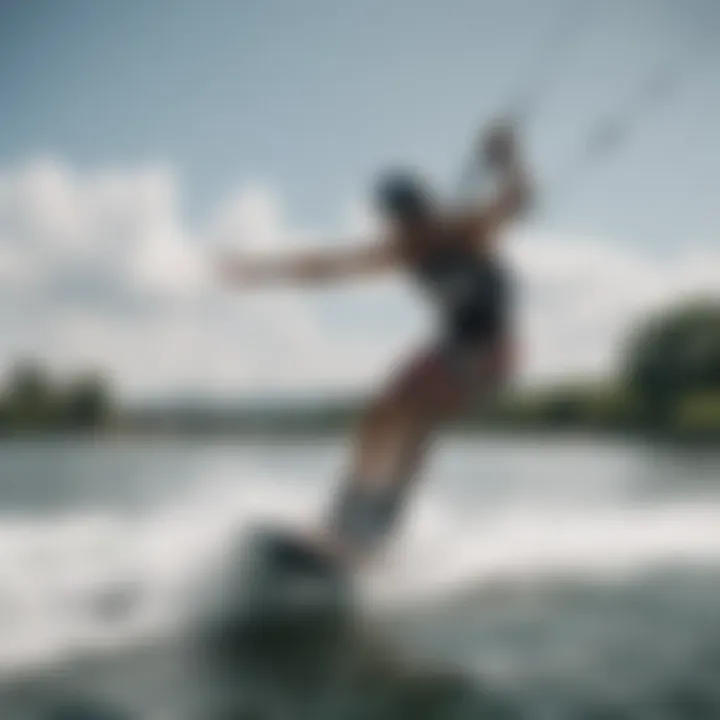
column 583, row 296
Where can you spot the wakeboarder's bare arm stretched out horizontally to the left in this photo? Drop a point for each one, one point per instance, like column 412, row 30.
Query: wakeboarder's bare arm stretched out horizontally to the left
column 310, row 267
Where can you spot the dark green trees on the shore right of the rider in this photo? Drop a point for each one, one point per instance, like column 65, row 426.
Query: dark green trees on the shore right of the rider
column 668, row 384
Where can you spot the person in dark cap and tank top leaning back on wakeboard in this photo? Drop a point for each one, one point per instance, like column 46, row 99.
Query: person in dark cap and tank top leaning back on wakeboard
column 452, row 254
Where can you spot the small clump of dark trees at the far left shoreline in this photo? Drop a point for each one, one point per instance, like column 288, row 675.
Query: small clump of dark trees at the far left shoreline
column 32, row 401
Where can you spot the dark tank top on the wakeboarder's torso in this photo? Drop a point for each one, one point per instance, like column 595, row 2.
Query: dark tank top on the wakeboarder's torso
column 471, row 293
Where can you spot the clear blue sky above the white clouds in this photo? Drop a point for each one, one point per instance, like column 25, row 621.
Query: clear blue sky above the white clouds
column 314, row 97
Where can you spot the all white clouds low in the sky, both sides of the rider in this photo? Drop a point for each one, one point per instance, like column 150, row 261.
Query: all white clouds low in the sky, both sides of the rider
column 100, row 269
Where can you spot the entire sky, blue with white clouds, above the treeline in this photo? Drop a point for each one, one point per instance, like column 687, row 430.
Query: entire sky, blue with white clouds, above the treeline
column 138, row 137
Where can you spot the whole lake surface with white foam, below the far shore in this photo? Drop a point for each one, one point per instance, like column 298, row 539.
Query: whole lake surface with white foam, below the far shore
column 564, row 578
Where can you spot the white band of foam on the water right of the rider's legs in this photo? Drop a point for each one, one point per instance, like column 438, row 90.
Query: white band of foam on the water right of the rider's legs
column 442, row 551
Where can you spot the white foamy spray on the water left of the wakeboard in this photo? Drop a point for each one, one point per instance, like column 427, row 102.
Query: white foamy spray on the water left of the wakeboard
column 88, row 580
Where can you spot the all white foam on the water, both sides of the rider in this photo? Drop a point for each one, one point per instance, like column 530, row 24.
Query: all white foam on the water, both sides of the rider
column 106, row 578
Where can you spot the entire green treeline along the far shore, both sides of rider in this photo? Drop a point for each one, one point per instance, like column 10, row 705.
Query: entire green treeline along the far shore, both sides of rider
column 668, row 384
